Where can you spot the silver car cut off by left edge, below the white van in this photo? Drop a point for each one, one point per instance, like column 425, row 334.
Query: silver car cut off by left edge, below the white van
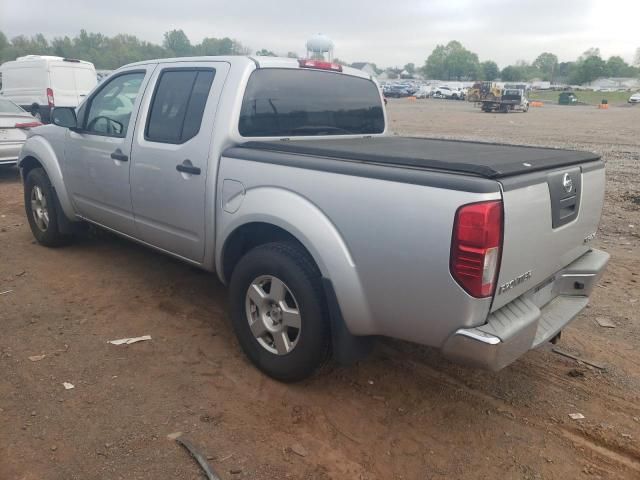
column 14, row 123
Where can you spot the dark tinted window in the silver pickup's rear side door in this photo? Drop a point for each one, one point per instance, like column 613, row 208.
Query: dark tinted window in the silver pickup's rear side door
column 178, row 105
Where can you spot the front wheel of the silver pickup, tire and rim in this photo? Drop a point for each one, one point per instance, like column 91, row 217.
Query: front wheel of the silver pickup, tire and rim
column 43, row 212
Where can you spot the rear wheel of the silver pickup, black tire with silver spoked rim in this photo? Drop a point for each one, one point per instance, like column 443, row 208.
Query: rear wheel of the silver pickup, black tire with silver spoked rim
column 305, row 349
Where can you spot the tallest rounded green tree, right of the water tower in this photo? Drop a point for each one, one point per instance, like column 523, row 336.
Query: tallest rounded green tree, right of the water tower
column 451, row 61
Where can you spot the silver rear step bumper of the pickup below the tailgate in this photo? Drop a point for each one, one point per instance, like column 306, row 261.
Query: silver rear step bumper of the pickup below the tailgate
column 521, row 324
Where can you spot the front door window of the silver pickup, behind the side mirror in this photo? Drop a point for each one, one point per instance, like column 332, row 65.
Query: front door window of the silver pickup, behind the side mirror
column 109, row 111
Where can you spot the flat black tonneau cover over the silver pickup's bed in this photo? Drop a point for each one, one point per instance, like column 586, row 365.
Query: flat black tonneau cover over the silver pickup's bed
column 489, row 160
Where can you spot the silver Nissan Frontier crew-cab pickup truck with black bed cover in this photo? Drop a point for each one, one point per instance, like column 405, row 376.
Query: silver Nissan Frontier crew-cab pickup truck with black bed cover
column 280, row 176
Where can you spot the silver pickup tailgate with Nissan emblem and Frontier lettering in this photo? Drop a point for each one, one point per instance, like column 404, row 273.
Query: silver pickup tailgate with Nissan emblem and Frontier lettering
column 550, row 218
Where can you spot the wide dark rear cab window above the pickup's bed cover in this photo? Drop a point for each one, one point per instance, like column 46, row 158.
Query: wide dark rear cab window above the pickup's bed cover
column 292, row 102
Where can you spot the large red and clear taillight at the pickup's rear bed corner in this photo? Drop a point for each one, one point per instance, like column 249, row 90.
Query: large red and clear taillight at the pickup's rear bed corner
column 475, row 248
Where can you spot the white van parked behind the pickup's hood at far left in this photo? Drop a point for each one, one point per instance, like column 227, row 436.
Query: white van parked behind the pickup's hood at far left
column 38, row 83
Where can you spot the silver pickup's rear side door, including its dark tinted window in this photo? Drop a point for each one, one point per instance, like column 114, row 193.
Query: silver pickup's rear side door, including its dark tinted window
column 170, row 156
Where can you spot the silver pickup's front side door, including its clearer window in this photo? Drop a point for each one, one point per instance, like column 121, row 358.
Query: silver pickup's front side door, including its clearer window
column 96, row 163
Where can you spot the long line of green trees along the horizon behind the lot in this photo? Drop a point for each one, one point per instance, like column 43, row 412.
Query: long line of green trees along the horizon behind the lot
column 447, row 62
